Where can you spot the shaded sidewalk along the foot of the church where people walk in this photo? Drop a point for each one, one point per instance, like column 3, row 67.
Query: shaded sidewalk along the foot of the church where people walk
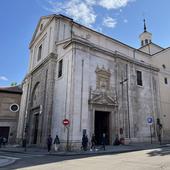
column 109, row 150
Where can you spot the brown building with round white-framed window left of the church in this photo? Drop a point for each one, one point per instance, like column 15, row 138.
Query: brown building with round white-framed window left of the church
column 10, row 98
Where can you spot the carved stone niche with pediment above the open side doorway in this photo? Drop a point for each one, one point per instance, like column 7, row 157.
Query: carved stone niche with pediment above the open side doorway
column 104, row 94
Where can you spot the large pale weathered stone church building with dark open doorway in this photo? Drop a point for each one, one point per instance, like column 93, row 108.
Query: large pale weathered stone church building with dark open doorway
column 100, row 84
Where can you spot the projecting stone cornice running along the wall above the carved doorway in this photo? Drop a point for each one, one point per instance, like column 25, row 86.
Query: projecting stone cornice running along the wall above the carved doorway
column 114, row 54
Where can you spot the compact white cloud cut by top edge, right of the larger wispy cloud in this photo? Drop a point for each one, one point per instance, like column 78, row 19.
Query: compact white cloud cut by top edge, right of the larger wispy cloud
column 113, row 4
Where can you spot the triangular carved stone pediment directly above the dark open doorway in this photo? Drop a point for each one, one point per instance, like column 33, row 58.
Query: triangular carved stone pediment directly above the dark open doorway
column 103, row 99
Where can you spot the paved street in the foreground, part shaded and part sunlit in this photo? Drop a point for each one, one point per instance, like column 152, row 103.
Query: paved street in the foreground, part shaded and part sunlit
column 153, row 159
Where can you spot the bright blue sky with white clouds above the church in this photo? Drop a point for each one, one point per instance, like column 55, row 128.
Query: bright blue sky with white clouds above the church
column 119, row 19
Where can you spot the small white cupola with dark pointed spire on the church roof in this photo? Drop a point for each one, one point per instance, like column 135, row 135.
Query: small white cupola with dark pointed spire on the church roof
column 145, row 37
